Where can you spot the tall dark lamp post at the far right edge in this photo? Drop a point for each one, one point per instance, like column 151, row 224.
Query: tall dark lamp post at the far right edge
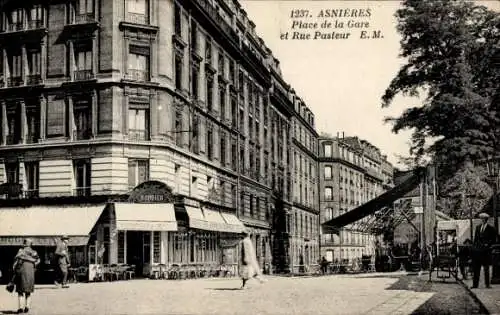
column 493, row 174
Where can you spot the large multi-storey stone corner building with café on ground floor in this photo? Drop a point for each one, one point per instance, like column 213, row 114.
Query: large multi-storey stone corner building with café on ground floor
column 99, row 97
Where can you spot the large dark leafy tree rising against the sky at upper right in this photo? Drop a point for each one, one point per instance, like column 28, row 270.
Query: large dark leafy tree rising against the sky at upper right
column 451, row 51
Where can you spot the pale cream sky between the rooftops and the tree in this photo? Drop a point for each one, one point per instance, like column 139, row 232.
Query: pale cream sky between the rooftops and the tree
column 341, row 81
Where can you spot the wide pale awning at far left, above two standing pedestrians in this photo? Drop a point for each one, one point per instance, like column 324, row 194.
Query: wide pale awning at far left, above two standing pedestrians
column 45, row 225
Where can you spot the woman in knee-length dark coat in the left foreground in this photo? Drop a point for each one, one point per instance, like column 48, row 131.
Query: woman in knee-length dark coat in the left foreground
column 24, row 275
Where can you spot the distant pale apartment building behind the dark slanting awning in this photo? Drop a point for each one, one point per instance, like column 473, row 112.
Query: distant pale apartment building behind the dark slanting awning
column 352, row 172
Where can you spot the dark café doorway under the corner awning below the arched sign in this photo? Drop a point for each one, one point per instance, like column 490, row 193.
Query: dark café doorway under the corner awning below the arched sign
column 138, row 250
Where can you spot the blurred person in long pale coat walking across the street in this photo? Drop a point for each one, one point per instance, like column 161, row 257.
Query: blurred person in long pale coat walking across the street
column 249, row 265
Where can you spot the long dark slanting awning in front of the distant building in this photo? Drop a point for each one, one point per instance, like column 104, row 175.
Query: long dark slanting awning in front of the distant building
column 386, row 199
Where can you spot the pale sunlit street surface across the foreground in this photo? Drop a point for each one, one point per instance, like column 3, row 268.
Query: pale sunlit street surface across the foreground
column 336, row 294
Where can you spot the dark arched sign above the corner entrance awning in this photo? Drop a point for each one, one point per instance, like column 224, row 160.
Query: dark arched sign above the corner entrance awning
column 152, row 192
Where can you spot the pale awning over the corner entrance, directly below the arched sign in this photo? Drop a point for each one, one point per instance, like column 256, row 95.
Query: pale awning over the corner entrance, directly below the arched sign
column 145, row 217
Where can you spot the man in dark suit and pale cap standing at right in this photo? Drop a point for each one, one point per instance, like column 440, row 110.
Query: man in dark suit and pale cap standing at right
column 484, row 237
